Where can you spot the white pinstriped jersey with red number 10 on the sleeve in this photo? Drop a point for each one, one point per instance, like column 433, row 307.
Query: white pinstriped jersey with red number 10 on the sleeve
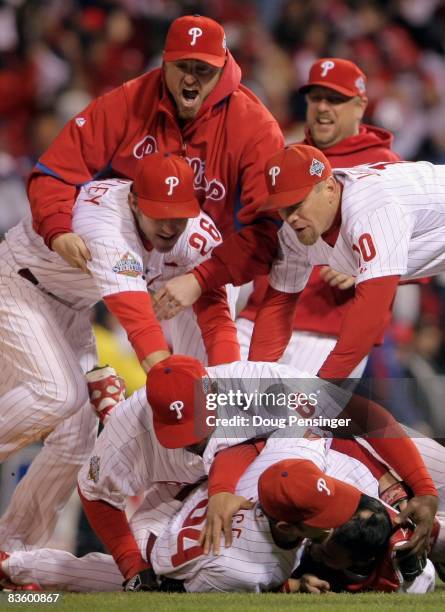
column 393, row 223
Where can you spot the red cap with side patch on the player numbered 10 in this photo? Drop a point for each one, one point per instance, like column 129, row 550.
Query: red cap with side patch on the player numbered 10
column 292, row 173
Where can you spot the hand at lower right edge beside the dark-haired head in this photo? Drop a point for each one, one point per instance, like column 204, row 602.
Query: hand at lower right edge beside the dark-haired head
column 421, row 510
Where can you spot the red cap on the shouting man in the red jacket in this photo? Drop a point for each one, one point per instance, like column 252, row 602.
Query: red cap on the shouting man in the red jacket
column 196, row 37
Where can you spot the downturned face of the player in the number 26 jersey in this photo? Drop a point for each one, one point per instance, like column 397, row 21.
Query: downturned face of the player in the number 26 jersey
column 162, row 234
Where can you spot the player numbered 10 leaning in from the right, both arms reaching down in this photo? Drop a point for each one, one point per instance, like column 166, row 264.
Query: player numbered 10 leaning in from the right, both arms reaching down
column 379, row 223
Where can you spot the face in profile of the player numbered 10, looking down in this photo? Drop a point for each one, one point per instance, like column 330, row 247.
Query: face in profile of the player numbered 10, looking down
column 314, row 215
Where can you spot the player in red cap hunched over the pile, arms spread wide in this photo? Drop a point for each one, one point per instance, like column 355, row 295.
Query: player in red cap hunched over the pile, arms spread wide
column 128, row 458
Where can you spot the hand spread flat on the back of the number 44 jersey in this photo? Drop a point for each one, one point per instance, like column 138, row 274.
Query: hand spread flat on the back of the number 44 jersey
column 220, row 511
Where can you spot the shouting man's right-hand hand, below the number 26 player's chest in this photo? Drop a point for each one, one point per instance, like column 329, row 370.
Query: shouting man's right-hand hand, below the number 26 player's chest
column 178, row 293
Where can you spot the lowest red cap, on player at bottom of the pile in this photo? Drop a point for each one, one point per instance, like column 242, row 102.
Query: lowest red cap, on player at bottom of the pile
column 297, row 491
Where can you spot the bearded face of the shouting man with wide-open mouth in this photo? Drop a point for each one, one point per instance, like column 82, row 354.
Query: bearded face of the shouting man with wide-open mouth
column 190, row 82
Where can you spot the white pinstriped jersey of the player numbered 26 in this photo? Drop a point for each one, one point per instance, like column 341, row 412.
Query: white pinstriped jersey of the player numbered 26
column 104, row 220
